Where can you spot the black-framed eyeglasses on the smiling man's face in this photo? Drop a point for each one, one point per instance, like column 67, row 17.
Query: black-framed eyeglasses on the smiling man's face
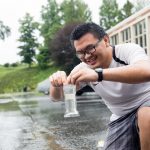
column 90, row 49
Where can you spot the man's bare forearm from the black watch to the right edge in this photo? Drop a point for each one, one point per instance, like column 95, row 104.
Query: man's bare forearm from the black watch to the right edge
column 132, row 74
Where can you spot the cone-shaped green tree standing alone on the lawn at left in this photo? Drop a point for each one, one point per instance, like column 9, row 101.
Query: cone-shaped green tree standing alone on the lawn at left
column 28, row 39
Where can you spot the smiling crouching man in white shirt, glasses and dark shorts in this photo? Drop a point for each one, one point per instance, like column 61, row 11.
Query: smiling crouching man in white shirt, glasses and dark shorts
column 120, row 74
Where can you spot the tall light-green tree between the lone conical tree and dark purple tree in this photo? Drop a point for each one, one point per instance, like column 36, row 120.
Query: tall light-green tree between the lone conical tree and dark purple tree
column 51, row 23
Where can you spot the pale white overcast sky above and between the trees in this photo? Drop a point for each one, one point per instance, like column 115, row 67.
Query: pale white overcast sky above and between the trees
column 12, row 10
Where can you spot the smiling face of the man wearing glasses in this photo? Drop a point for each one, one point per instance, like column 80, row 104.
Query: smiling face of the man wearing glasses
column 92, row 51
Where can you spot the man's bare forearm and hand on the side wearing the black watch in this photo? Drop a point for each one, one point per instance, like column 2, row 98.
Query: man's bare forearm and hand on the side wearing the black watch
column 131, row 74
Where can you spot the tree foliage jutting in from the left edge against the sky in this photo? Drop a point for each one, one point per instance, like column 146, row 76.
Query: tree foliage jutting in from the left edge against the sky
column 4, row 31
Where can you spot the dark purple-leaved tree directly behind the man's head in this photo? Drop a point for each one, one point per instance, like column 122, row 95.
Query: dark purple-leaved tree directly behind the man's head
column 63, row 54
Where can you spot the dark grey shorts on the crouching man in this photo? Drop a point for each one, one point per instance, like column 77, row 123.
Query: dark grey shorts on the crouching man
column 123, row 133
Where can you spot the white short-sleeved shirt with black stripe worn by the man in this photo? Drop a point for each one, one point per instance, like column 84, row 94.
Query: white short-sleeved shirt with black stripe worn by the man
column 122, row 98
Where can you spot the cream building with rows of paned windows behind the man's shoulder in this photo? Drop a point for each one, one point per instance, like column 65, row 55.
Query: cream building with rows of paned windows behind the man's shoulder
column 135, row 29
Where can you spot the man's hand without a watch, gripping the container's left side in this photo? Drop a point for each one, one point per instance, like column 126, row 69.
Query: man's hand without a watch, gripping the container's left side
column 58, row 78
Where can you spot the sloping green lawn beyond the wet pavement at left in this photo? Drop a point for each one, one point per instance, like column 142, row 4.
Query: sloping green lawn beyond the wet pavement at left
column 13, row 79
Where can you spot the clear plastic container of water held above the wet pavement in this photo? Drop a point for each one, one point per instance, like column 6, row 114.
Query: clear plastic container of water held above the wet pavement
column 70, row 101
